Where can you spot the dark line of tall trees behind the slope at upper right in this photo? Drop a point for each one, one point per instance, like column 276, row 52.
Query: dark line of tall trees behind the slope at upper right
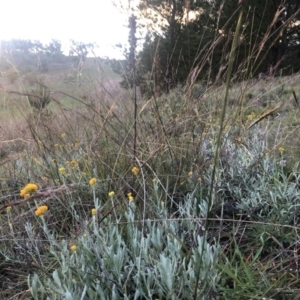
column 190, row 40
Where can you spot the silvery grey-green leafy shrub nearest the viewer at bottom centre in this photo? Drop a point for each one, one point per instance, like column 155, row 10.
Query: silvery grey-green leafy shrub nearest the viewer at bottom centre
column 163, row 259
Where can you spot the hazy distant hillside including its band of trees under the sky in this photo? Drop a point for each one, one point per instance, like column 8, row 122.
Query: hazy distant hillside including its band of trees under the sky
column 80, row 77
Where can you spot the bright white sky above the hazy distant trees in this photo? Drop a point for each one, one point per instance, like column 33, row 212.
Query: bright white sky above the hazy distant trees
column 95, row 21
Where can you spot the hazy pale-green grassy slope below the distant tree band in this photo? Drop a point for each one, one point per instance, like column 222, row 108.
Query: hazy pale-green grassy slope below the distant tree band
column 64, row 78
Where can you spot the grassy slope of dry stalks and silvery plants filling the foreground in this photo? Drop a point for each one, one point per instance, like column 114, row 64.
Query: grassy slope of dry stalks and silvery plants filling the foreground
column 254, row 214
